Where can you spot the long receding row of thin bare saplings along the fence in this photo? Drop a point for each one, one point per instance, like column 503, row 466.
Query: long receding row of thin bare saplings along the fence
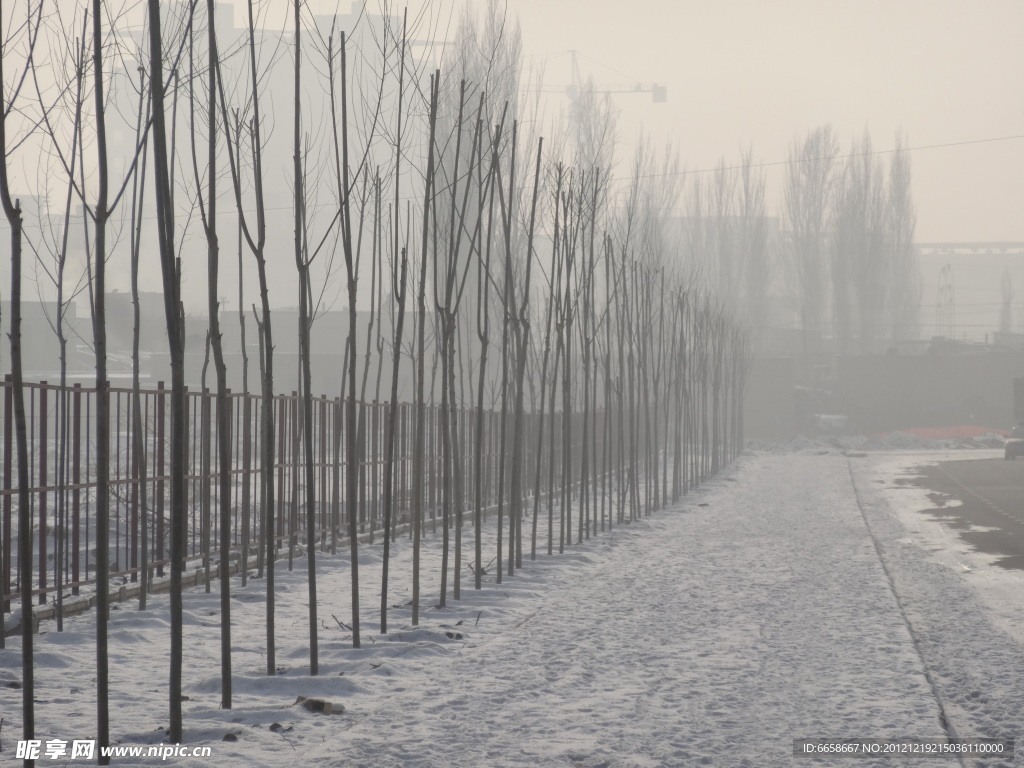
column 544, row 289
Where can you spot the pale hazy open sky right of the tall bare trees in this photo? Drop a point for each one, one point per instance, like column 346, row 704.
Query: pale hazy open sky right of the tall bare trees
column 753, row 73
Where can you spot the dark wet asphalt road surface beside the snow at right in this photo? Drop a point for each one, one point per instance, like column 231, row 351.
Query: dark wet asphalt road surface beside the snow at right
column 993, row 496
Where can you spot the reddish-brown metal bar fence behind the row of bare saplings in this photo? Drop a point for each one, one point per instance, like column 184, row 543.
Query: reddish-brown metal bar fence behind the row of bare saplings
column 63, row 479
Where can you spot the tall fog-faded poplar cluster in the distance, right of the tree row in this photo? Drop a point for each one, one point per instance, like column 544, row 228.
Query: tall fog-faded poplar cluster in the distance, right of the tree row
column 848, row 250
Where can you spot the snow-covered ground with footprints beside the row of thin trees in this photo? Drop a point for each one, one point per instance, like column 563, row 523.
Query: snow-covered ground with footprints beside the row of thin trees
column 799, row 595
